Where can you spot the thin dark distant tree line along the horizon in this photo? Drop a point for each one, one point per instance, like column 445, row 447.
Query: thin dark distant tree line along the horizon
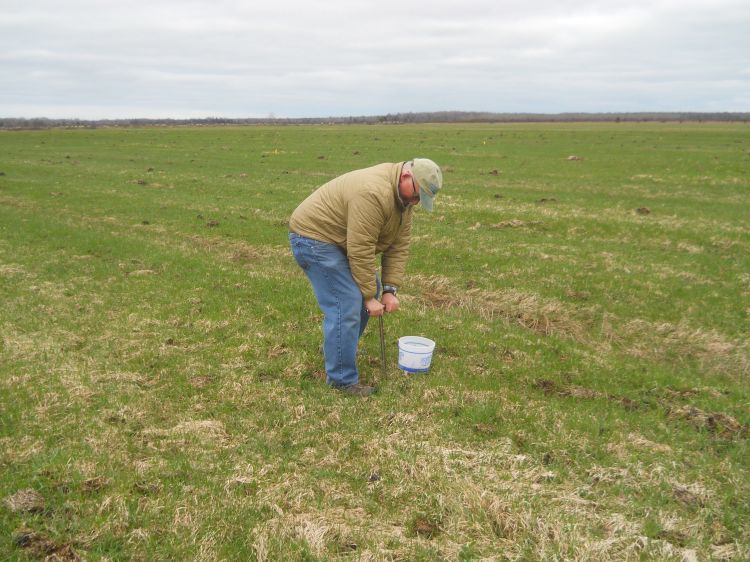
column 392, row 118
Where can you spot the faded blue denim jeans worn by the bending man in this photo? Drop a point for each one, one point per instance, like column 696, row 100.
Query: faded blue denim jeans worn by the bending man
column 344, row 314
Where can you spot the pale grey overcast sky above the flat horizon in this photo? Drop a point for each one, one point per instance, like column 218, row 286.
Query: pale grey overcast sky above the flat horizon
column 97, row 59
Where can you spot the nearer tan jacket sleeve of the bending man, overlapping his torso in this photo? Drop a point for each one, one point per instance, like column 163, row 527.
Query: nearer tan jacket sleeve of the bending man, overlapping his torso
column 365, row 218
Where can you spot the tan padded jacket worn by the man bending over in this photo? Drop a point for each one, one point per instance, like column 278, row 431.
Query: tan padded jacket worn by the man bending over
column 362, row 213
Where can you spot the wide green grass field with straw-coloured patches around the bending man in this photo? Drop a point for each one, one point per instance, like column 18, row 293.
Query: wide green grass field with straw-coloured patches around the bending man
column 162, row 394
